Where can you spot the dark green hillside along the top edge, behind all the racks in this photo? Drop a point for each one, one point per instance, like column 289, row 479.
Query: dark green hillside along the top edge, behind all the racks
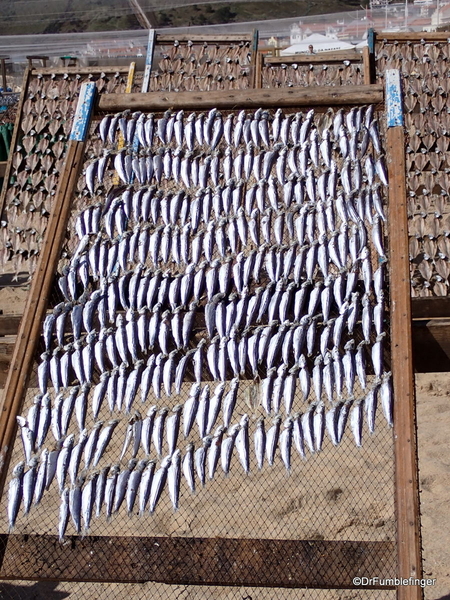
column 67, row 16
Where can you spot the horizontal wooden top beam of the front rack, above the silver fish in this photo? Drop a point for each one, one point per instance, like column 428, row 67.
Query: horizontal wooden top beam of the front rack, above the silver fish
column 233, row 99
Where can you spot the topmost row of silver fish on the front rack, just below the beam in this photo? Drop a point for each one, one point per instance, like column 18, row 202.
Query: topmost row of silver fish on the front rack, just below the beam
column 261, row 128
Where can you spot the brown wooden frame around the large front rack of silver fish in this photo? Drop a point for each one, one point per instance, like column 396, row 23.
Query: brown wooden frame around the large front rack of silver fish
column 225, row 561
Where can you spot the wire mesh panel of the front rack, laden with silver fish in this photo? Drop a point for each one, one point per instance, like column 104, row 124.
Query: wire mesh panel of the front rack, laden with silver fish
column 215, row 361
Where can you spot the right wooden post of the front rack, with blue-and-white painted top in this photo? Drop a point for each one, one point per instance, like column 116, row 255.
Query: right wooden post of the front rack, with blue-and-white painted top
column 406, row 486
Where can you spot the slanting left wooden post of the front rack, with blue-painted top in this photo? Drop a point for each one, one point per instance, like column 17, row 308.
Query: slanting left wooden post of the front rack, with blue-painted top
column 30, row 326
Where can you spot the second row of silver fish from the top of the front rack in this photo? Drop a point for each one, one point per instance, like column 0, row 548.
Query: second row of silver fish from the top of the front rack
column 200, row 171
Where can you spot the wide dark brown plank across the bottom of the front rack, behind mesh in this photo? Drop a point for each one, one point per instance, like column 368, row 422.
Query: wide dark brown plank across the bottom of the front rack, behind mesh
column 198, row 561
